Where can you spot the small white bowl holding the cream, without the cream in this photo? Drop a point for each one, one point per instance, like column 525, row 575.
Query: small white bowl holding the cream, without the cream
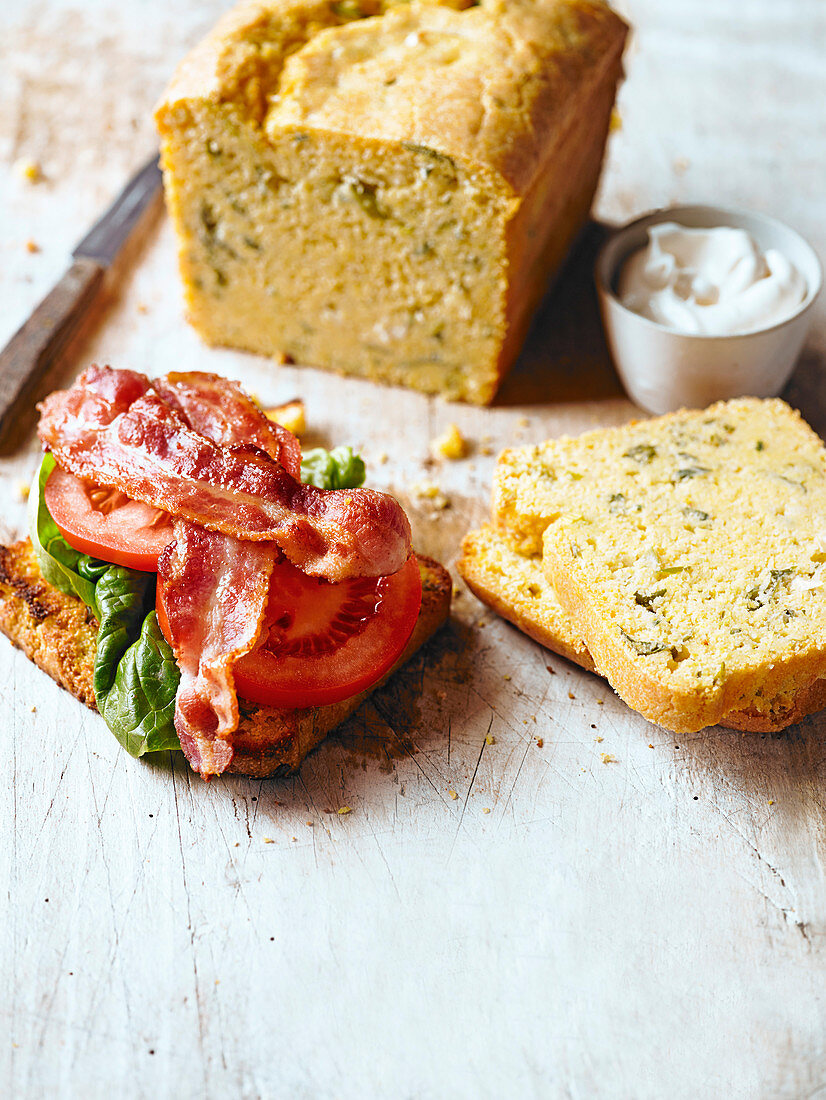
column 663, row 370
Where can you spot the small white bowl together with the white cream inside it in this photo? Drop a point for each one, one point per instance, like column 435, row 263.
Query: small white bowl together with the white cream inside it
column 702, row 304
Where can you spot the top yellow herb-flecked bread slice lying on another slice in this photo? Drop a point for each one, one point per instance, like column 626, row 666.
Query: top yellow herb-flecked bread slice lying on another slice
column 689, row 552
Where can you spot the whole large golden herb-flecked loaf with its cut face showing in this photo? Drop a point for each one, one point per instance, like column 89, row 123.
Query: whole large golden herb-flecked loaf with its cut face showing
column 386, row 189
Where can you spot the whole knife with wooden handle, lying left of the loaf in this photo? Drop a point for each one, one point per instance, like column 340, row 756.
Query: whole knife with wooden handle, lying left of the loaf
column 35, row 348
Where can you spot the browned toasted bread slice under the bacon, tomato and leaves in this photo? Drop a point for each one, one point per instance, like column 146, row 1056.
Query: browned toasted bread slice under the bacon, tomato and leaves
column 59, row 633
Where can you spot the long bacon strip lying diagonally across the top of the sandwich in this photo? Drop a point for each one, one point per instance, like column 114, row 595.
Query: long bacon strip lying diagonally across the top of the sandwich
column 114, row 428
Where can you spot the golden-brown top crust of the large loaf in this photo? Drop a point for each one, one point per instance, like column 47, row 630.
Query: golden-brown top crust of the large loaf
column 535, row 63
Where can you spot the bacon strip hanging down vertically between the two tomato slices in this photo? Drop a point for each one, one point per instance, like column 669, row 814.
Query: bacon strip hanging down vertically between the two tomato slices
column 215, row 592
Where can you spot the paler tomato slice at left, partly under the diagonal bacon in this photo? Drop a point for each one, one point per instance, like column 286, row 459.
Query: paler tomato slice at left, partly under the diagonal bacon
column 106, row 524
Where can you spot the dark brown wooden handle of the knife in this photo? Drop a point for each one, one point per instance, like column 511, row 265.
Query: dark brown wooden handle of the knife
column 36, row 346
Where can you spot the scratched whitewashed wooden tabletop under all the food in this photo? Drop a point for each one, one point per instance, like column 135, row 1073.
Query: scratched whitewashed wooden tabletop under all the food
column 651, row 928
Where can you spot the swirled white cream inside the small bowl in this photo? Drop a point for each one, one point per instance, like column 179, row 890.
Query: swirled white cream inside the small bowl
column 710, row 282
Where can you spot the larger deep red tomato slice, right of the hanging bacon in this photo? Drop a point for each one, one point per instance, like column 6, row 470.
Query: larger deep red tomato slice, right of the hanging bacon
column 323, row 643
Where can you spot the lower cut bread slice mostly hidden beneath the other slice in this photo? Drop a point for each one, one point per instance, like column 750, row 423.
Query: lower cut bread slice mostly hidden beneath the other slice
column 516, row 588
